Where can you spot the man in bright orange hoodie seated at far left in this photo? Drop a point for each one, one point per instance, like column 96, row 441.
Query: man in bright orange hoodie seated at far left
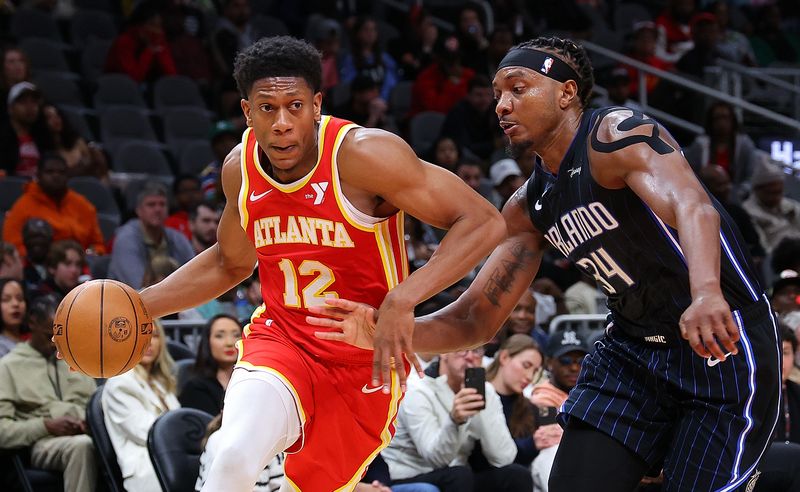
column 69, row 214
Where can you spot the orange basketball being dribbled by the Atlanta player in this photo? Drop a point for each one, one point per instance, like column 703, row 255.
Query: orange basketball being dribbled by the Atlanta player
column 102, row 328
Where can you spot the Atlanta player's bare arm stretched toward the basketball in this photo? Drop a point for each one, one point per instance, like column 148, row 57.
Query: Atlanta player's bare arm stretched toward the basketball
column 215, row 270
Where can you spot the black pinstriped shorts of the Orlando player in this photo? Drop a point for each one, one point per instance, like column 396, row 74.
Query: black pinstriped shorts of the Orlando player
column 707, row 425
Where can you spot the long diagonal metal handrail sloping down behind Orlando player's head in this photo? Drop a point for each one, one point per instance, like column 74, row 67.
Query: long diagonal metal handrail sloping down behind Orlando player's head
column 689, row 84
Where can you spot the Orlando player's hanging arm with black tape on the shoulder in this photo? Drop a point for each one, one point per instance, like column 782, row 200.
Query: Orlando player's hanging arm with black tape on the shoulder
column 630, row 149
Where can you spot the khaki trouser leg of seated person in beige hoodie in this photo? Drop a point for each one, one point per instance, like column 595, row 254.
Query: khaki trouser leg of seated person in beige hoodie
column 72, row 455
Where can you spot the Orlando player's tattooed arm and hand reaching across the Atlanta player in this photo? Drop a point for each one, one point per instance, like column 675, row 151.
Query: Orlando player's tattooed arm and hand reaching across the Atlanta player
column 476, row 315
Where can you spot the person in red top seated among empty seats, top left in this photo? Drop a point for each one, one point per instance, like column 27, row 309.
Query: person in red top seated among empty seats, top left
column 141, row 51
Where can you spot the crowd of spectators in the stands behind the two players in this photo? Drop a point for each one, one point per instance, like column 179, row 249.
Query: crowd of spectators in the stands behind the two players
column 76, row 204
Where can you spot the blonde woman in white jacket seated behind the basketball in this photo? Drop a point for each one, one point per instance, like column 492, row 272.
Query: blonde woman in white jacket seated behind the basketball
column 131, row 403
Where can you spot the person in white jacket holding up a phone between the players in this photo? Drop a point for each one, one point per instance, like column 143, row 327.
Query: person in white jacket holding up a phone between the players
column 442, row 428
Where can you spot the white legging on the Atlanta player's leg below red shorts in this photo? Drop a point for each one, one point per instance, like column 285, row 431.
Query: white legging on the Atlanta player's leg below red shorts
column 248, row 442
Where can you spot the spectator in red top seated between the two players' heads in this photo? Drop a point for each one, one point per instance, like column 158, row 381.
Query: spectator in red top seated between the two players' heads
column 440, row 86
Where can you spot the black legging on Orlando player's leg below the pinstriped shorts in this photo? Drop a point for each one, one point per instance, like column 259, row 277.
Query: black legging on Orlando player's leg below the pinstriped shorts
column 588, row 459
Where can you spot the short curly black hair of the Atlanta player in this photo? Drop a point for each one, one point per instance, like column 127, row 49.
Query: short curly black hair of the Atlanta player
column 278, row 56
